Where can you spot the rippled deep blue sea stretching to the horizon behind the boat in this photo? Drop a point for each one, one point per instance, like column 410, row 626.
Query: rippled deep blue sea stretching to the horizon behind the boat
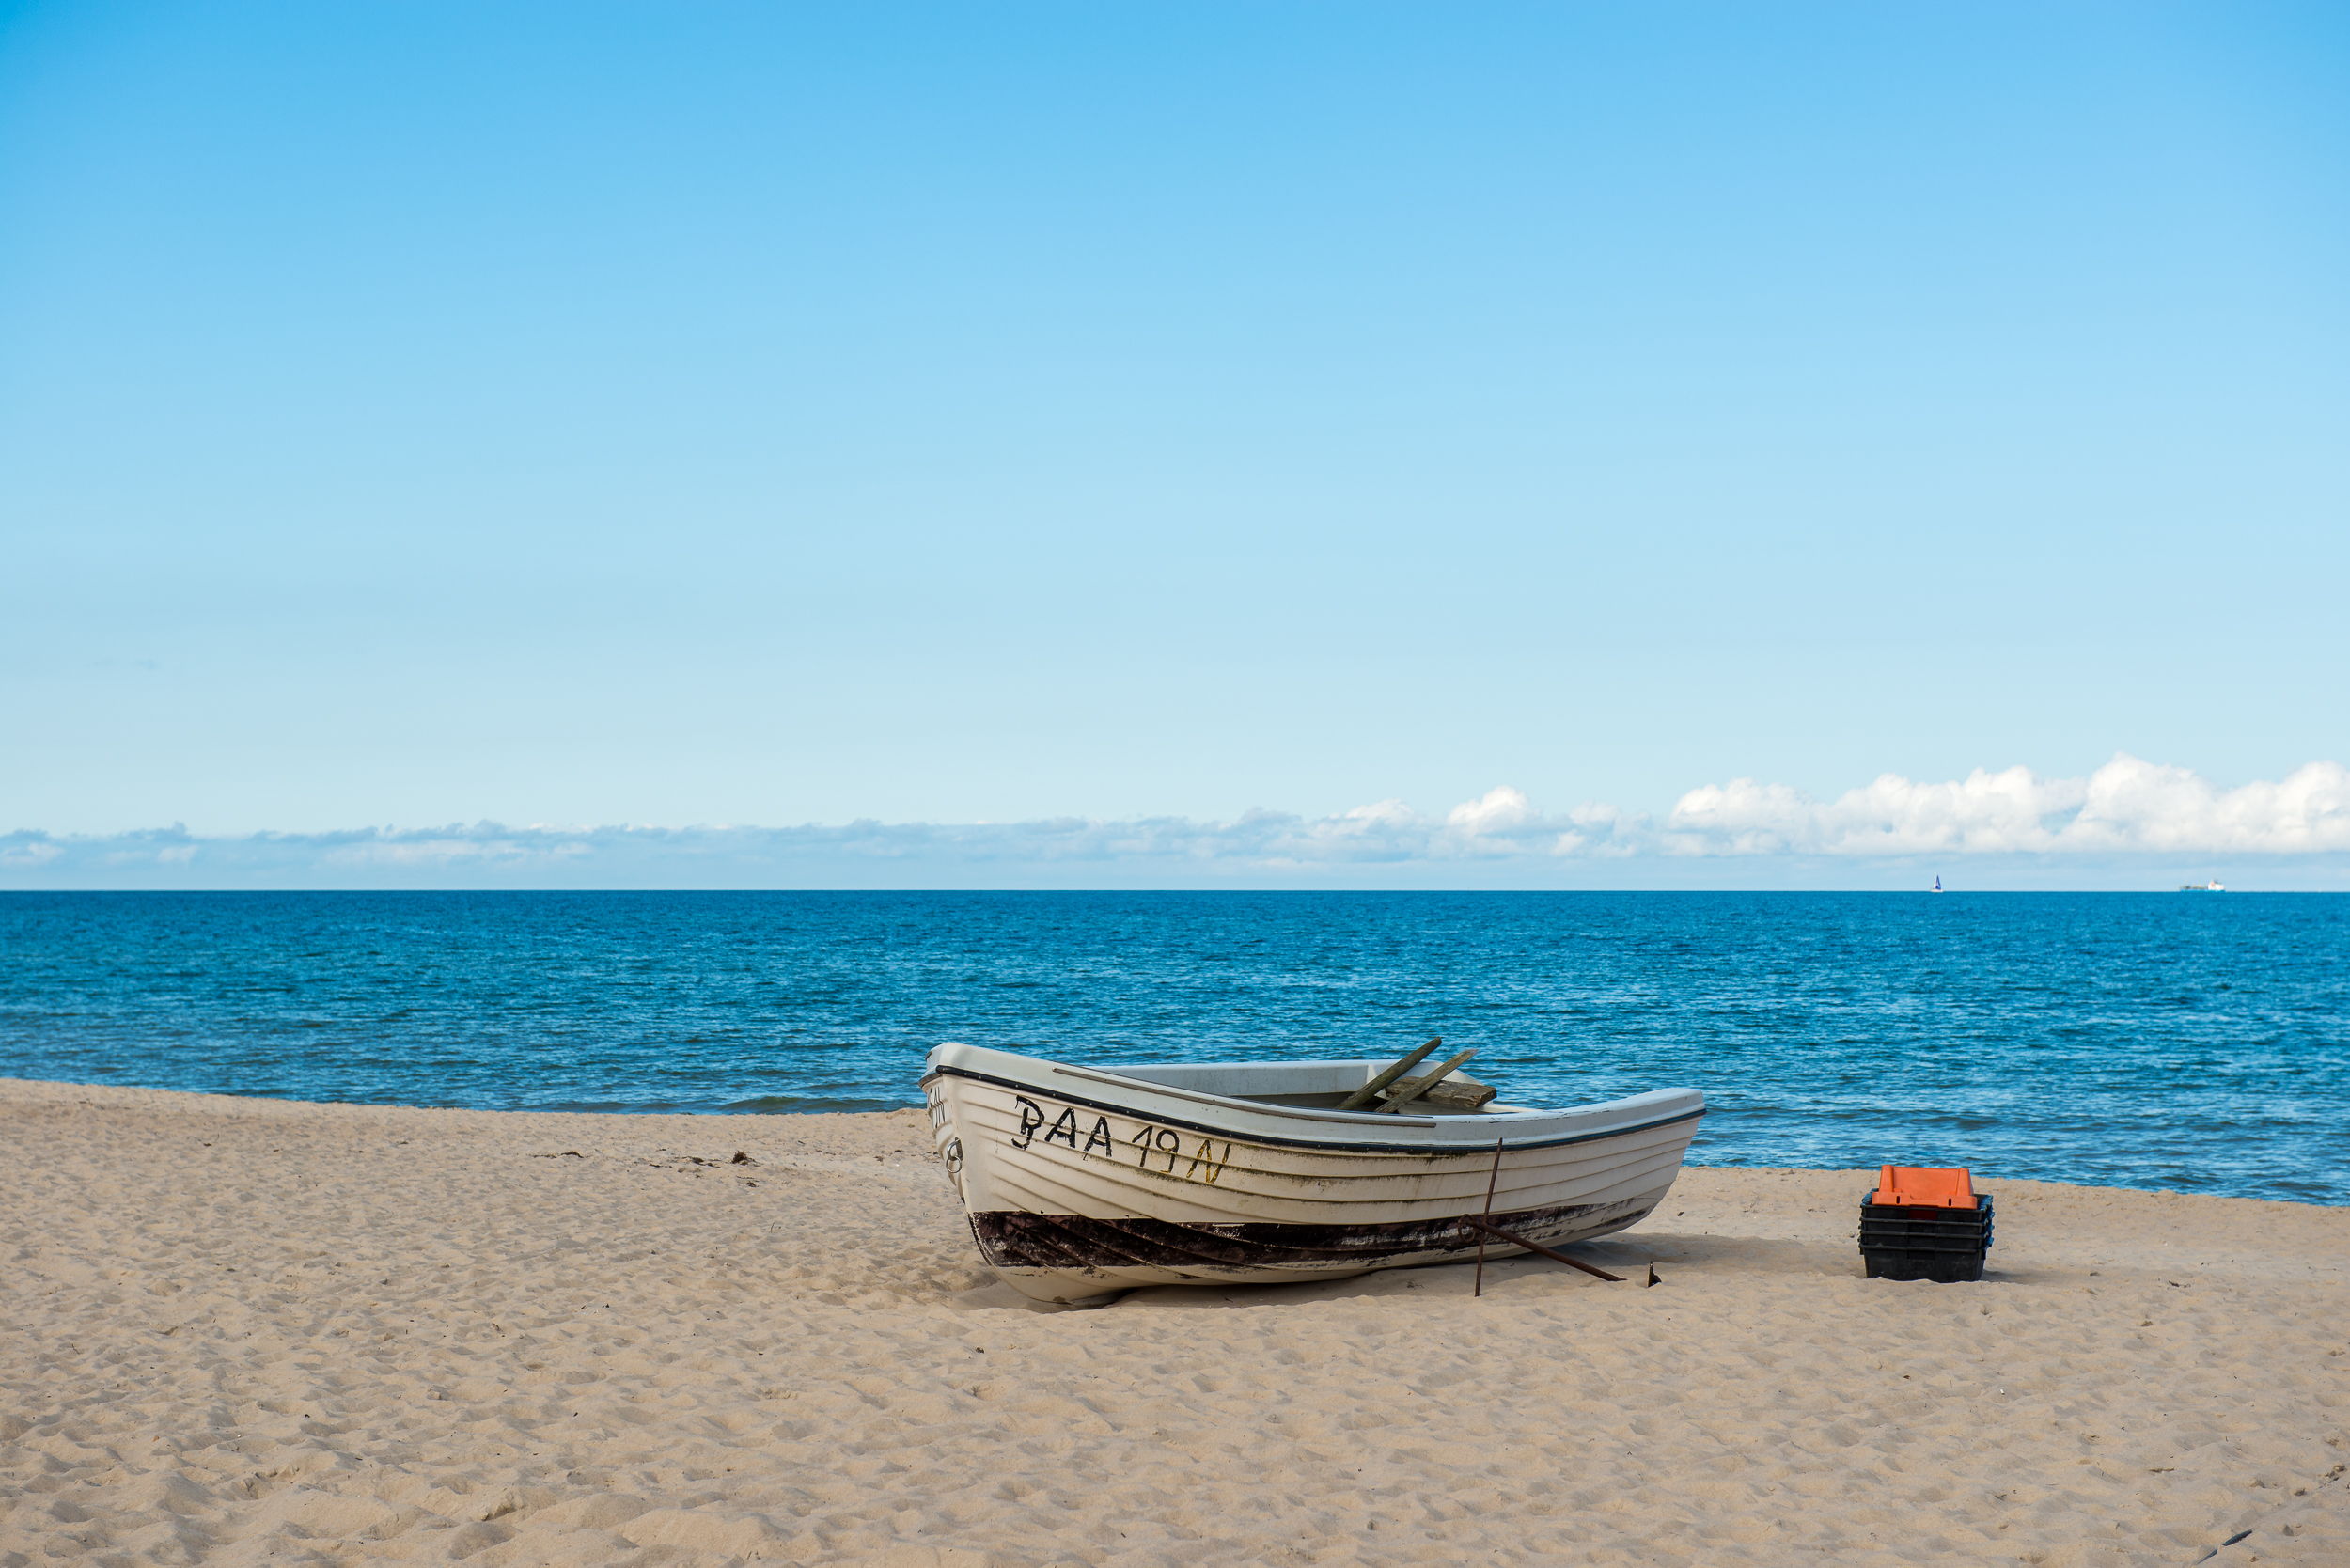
column 2140, row 1040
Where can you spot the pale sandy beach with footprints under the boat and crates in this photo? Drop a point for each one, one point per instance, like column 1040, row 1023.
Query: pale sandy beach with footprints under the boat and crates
column 241, row 1332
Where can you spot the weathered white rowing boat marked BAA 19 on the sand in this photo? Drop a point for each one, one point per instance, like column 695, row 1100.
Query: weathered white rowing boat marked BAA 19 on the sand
column 1092, row 1181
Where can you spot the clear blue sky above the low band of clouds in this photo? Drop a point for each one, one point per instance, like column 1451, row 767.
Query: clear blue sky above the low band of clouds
column 967, row 415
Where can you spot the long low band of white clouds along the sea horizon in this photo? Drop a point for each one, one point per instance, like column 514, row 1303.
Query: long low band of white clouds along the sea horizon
column 2126, row 808
